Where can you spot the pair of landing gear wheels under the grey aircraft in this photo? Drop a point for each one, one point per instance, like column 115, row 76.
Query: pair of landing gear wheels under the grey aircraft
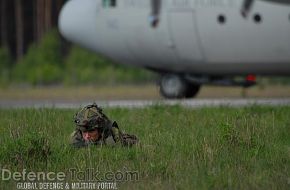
column 175, row 86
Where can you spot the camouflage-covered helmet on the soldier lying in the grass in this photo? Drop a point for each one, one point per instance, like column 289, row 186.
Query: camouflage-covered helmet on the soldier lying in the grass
column 90, row 117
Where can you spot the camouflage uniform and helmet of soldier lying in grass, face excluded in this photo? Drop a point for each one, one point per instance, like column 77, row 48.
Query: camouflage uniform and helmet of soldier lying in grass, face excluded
column 91, row 117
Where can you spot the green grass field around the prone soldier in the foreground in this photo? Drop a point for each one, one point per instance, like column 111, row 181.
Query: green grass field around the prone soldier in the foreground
column 181, row 148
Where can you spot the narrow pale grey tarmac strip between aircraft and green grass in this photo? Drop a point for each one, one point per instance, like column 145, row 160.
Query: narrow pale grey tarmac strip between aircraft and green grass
column 193, row 103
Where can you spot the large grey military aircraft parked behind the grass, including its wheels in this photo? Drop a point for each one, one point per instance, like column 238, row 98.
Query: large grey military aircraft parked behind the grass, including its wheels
column 196, row 42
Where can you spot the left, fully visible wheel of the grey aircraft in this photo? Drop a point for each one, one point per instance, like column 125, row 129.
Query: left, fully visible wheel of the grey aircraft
column 173, row 86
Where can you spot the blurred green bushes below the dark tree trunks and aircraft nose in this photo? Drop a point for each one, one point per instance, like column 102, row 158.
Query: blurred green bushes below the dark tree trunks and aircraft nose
column 45, row 64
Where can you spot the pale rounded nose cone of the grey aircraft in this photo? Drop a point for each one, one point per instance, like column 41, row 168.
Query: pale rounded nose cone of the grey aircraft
column 77, row 22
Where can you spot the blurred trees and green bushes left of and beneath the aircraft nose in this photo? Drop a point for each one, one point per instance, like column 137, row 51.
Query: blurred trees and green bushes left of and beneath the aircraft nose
column 32, row 51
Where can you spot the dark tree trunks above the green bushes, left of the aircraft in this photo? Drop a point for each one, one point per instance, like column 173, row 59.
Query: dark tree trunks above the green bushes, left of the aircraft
column 23, row 22
